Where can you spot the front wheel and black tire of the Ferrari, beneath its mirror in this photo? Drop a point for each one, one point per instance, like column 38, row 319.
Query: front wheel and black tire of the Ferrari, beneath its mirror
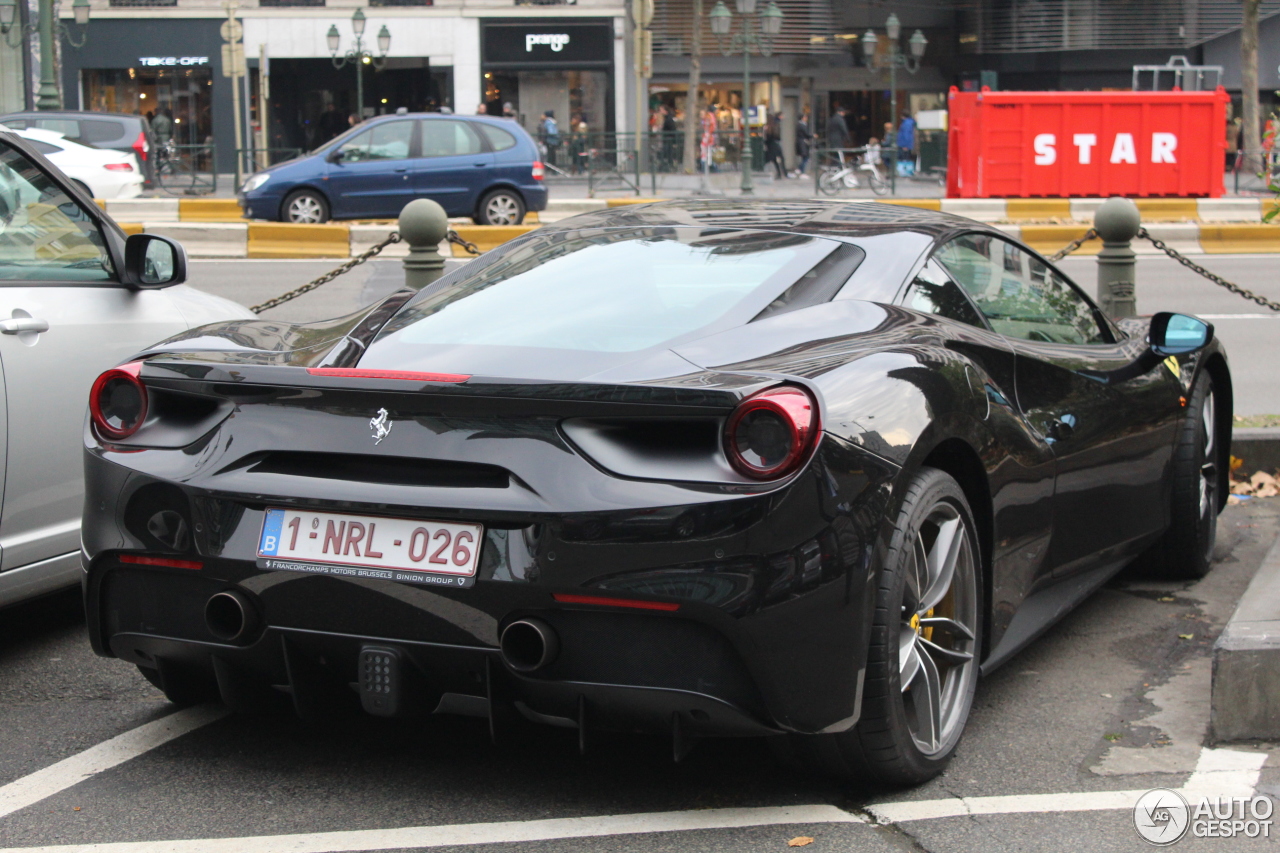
column 1186, row 551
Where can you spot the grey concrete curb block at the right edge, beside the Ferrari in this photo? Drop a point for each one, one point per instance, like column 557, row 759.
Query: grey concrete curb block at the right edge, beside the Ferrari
column 1245, row 697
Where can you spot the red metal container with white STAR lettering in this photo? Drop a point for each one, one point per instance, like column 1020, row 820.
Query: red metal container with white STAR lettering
column 1086, row 144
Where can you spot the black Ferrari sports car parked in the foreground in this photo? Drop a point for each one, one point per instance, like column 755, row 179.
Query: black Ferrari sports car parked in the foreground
column 752, row 469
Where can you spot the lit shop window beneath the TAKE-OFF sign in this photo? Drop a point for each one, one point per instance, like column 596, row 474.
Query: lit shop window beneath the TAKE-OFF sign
column 181, row 95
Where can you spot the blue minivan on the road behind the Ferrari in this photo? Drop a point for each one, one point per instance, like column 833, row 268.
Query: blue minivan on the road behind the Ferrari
column 479, row 167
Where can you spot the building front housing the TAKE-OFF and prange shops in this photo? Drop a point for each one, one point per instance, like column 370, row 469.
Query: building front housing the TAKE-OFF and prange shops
column 167, row 57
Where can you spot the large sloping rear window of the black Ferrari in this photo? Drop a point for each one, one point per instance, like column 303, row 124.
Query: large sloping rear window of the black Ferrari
column 615, row 290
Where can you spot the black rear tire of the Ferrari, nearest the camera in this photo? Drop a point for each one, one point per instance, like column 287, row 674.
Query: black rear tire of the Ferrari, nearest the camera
column 885, row 750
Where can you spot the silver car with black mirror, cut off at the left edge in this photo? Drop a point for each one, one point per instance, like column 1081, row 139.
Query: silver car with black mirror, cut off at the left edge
column 76, row 298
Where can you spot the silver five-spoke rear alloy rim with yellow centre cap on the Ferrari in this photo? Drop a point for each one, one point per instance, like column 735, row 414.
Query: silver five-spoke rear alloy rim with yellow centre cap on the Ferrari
column 938, row 650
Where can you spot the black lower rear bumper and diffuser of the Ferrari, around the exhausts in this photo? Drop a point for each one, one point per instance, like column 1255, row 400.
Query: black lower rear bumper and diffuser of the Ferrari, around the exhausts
column 623, row 672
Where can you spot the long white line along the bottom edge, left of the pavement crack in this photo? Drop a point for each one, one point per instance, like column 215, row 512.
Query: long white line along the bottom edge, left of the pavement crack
column 514, row 832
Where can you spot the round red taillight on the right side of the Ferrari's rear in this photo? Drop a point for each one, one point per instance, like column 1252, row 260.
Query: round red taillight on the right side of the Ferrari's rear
column 770, row 435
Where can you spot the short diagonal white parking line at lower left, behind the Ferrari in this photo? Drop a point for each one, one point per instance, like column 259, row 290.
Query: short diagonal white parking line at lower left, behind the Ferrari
column 104, row 756
